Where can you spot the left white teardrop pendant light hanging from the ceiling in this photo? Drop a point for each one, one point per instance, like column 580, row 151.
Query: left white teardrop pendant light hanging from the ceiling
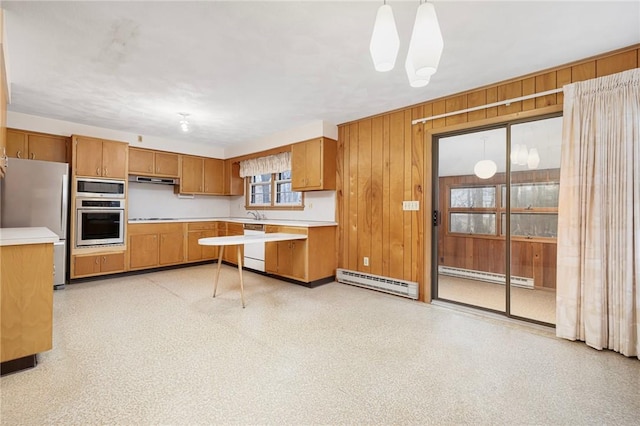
column 385, row 42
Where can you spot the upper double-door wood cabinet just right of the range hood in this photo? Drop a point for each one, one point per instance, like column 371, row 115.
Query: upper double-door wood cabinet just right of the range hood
column 201, row 175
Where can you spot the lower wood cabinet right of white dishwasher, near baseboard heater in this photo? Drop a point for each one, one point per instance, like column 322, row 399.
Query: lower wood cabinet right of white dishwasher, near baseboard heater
column 303, row 260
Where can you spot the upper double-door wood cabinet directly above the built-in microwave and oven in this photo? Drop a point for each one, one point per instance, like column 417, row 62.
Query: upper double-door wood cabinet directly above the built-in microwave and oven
column 99, row 158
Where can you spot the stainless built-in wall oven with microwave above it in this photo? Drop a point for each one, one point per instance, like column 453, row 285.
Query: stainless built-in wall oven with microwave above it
column 100, row 212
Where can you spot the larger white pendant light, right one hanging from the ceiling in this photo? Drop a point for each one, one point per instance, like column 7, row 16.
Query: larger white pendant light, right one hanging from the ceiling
column 425, row 47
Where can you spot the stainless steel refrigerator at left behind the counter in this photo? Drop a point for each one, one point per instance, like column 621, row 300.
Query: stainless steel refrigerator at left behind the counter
column 36, row 193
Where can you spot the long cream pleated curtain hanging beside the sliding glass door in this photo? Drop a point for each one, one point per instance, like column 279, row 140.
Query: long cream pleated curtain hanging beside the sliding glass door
column 598, row 299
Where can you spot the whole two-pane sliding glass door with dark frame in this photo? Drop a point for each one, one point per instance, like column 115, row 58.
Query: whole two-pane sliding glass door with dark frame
column 496, row 192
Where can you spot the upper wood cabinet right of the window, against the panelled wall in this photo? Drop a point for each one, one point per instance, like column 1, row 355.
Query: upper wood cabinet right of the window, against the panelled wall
column 313, row 164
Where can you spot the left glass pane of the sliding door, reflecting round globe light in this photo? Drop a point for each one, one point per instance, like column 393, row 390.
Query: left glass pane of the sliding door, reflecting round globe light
column 471, row 253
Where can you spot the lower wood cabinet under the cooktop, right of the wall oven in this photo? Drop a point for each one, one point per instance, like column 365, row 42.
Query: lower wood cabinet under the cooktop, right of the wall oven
column 156, row 244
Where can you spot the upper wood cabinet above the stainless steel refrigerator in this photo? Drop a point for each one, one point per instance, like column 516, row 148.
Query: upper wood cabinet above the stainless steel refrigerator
column 37, row 146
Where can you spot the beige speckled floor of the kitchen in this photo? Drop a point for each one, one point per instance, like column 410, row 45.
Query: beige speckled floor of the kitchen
column 157, row 349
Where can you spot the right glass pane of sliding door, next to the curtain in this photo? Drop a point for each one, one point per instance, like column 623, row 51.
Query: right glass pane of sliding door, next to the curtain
column 534, row 187
